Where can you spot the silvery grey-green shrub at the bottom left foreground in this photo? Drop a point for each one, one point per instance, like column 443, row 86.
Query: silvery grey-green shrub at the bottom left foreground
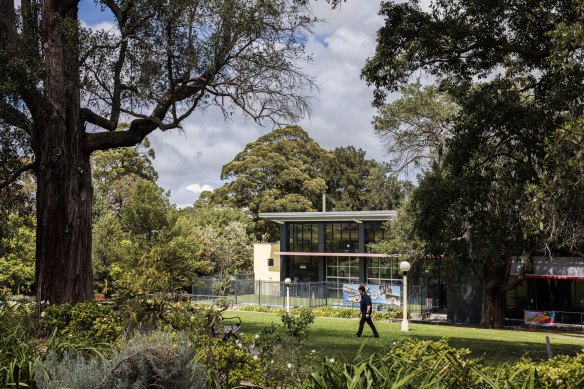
column 160, row 360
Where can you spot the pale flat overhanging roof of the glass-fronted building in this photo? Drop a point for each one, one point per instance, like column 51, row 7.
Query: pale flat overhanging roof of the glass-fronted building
column 355, row 216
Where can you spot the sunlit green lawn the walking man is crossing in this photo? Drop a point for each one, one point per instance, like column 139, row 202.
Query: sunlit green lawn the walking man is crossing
column 334, row 338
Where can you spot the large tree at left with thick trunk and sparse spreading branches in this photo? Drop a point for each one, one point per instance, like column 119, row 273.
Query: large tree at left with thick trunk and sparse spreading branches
column 65, row 89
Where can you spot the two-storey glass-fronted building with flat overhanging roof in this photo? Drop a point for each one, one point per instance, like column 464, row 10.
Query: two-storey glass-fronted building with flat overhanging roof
column 332, row 247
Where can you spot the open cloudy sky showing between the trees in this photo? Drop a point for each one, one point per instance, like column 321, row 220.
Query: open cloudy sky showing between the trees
column 190, row 161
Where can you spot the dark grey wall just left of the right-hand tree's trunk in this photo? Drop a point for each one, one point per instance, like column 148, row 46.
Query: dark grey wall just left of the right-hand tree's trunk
column 465, row 295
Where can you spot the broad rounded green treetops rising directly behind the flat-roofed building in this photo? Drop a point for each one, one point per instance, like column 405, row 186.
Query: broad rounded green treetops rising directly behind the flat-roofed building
column 287, row 171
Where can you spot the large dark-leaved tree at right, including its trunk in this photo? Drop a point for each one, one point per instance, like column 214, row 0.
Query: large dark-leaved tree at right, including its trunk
column 515, row 70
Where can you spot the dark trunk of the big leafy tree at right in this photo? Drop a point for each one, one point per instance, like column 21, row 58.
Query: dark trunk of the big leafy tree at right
column 495, row 277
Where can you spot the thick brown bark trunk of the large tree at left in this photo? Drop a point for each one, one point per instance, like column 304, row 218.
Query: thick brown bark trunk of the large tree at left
column 64, row 193
